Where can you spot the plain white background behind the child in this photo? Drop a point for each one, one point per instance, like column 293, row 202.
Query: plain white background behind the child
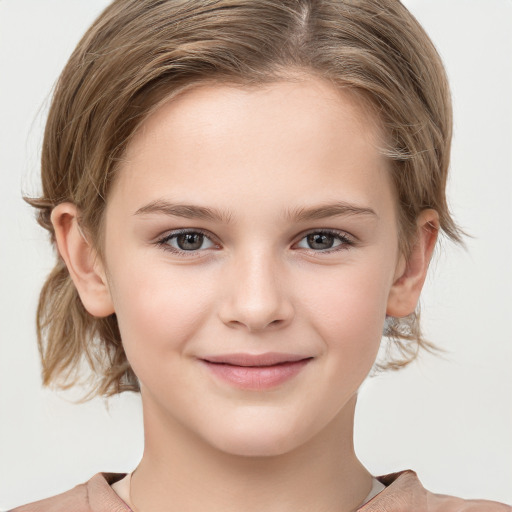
column 449, row 419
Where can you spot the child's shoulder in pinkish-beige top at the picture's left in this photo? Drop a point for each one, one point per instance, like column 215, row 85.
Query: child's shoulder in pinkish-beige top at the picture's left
column 96, row 495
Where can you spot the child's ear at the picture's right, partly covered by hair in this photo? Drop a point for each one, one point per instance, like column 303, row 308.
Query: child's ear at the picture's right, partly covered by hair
column 412, row 271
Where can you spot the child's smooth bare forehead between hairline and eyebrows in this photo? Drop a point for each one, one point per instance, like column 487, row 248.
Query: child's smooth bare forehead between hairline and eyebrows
column 283, row 141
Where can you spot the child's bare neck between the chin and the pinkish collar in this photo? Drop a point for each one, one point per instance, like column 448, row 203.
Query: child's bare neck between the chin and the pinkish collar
column 180, row 471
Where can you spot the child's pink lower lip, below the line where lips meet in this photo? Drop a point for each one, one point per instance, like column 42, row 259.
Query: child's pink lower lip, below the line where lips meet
column 256, row 377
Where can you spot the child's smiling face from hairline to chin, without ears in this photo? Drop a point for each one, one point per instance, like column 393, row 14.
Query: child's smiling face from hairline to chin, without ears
column 269, row 161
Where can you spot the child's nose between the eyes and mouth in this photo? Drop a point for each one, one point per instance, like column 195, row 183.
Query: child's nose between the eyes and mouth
column 256, row 295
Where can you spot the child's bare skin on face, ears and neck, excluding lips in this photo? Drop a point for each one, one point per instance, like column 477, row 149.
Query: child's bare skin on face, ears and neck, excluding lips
column 255, row 285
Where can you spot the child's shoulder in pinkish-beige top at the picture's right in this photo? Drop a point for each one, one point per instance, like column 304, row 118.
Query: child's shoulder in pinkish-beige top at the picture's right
column 405, row 493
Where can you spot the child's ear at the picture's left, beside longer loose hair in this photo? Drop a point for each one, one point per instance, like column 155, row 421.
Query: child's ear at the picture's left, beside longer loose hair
column 84, row 266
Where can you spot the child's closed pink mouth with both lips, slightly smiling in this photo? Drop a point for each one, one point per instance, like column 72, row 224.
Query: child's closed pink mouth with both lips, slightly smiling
column 255, row 371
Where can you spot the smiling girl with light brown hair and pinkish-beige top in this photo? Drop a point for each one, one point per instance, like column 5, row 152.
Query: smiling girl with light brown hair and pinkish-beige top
column 245, row 196
